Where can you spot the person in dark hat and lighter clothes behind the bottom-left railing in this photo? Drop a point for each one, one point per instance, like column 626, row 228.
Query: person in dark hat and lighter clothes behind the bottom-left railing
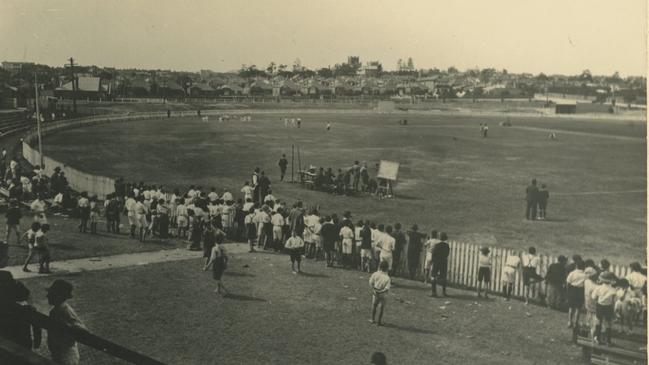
column 62, row 346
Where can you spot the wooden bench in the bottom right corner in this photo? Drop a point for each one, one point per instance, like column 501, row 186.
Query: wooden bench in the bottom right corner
column 611, row 355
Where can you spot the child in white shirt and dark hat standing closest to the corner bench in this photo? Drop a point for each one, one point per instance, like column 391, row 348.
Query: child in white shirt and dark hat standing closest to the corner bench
column 604, row 295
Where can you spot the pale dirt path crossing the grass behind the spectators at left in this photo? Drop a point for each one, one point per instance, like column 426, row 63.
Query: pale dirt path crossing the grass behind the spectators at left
column 119, row 261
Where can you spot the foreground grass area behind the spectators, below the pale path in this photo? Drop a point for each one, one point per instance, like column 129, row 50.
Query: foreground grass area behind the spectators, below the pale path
column 320, row 317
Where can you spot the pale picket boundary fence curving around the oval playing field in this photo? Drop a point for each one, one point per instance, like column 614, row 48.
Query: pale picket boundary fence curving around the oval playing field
column 463, row 259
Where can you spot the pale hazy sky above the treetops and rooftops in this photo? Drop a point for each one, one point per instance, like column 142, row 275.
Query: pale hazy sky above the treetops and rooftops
column 551, row 36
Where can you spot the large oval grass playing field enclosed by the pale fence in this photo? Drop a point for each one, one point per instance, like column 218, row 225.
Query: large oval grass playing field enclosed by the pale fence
column 450, row 178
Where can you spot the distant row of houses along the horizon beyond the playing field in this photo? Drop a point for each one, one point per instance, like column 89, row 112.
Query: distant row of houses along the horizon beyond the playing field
column 94, row 87
